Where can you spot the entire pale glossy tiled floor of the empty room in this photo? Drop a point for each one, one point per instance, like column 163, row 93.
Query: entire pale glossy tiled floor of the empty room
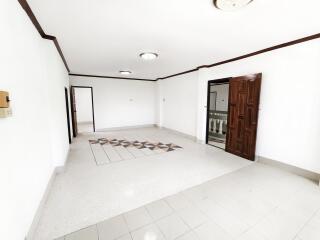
column 193, row 192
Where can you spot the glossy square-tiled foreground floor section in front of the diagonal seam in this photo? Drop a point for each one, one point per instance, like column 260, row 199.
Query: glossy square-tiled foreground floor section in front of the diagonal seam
column 196, row 213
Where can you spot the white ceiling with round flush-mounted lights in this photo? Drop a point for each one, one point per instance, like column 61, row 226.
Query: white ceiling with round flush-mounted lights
column 101, row 37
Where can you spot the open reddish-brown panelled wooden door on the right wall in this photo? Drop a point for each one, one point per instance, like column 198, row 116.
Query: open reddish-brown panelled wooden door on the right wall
column 244, row 96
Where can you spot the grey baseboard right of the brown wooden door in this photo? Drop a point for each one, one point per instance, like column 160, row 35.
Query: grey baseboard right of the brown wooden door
column 289, row 168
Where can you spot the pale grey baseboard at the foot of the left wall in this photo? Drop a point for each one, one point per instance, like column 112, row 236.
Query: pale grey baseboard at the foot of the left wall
column 36, row 219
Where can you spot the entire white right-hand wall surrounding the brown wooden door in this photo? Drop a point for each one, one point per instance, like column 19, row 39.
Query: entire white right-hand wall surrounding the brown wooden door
column 289, row 117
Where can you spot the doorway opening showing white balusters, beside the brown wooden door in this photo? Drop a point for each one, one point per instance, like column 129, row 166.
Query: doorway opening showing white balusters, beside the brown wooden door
column 217, row 112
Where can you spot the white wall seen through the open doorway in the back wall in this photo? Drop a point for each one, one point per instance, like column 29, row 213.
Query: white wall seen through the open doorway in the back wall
column 84, row 104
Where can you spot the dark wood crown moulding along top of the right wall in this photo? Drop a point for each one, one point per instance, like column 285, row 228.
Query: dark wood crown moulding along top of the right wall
column 297, row 41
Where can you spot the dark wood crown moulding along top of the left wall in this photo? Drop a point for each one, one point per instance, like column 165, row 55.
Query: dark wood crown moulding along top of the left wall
column 24, row 4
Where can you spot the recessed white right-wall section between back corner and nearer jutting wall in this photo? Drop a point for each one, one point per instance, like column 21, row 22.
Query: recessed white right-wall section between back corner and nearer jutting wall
column 178, row 103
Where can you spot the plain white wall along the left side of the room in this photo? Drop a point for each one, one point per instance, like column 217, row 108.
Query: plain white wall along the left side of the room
column 34, row 140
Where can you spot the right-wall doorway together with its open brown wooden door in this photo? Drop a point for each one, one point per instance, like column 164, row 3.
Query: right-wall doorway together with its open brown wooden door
column 232, row 114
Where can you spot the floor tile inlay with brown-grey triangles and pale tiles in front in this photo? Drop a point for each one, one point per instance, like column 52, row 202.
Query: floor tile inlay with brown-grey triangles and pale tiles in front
column 106, row 150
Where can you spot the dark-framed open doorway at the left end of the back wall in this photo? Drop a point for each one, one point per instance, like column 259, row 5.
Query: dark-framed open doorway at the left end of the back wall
column 82, row 109
